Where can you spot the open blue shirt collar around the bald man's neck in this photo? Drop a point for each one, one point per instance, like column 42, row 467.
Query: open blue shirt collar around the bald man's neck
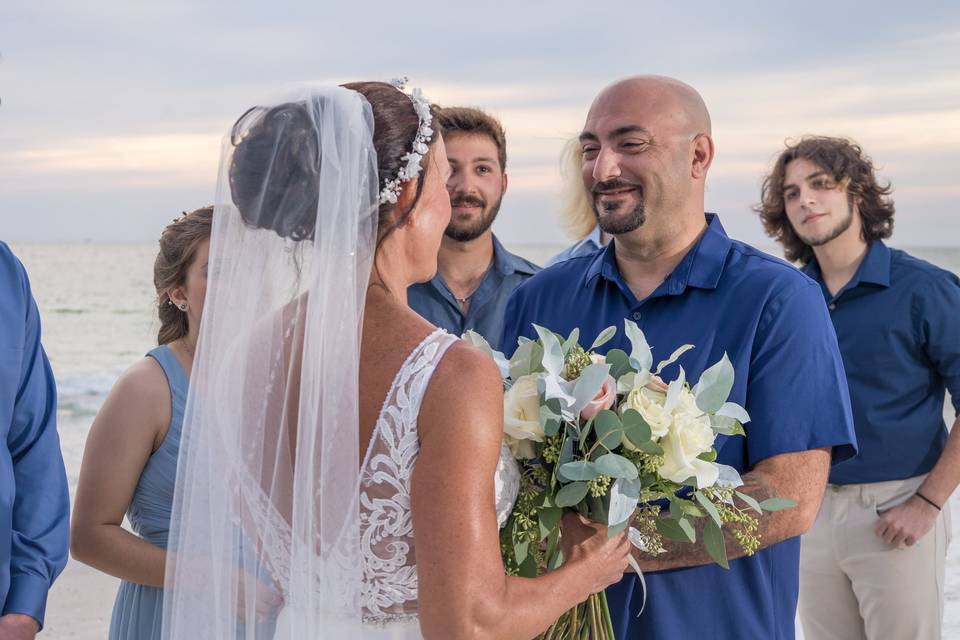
column 702, row 267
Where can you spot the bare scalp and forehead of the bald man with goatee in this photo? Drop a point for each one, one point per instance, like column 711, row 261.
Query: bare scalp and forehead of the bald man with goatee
column 675, row 104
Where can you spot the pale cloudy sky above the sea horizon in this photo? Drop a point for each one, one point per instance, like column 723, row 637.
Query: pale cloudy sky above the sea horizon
column 112, row 112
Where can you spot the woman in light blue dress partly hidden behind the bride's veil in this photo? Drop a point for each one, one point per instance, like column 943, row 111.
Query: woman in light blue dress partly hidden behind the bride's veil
column 130, row 460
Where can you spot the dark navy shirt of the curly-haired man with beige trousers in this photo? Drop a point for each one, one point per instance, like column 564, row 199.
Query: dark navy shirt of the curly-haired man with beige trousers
column 898, row 325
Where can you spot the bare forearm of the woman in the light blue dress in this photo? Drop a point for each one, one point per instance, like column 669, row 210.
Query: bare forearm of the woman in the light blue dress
column 114, row 550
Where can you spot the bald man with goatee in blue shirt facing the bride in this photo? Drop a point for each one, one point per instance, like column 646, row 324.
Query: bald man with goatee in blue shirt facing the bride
column 670, row 267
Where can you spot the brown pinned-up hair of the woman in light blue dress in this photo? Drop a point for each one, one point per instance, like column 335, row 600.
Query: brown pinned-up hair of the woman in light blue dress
column 178, row 248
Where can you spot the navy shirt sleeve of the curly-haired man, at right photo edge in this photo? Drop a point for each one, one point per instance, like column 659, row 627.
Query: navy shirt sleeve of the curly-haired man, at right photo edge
column 939, row 311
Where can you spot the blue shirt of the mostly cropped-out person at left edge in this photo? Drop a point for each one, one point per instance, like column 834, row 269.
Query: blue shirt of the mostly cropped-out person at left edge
column 34, row 503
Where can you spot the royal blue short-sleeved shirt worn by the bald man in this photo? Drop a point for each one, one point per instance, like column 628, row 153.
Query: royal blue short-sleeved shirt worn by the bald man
column 724, row 296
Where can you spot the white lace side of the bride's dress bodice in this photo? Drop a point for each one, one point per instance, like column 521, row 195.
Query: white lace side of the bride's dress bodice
column 386, row 523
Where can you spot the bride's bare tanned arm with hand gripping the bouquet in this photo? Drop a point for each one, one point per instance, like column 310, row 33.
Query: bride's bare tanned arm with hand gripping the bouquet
column 463, row 590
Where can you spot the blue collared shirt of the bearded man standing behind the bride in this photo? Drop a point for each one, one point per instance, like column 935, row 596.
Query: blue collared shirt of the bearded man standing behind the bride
column 434, row 301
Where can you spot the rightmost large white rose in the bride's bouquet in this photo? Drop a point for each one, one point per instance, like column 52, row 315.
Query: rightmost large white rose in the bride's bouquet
column 688, row 437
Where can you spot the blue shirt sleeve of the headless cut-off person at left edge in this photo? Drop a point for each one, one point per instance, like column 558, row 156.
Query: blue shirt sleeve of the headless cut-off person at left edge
column 40, row 524
